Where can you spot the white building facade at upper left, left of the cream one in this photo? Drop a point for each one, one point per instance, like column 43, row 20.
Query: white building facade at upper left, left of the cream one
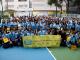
column 20, row 7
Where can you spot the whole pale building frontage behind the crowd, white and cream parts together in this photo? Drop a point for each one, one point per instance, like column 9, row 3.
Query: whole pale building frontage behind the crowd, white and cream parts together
column 29, row 7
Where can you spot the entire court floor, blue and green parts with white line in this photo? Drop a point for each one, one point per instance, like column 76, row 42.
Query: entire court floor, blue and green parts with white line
column 19, row 53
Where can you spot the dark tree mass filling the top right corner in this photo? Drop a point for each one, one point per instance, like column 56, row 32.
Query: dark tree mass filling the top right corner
column 73, row 4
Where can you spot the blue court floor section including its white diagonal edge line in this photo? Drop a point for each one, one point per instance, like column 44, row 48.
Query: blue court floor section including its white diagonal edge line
column 19, row 53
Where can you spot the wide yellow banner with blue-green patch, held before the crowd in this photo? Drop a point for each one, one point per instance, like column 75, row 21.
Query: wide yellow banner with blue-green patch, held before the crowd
column 42, row 41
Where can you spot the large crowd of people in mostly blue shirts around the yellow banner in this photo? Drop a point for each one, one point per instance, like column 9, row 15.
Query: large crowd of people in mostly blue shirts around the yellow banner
column 13, row 29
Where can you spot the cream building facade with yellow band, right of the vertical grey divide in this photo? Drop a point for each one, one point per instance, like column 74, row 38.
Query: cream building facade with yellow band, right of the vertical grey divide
column 41, row 7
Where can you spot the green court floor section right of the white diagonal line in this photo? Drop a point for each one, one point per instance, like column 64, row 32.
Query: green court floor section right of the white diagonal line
column 64, row 53
